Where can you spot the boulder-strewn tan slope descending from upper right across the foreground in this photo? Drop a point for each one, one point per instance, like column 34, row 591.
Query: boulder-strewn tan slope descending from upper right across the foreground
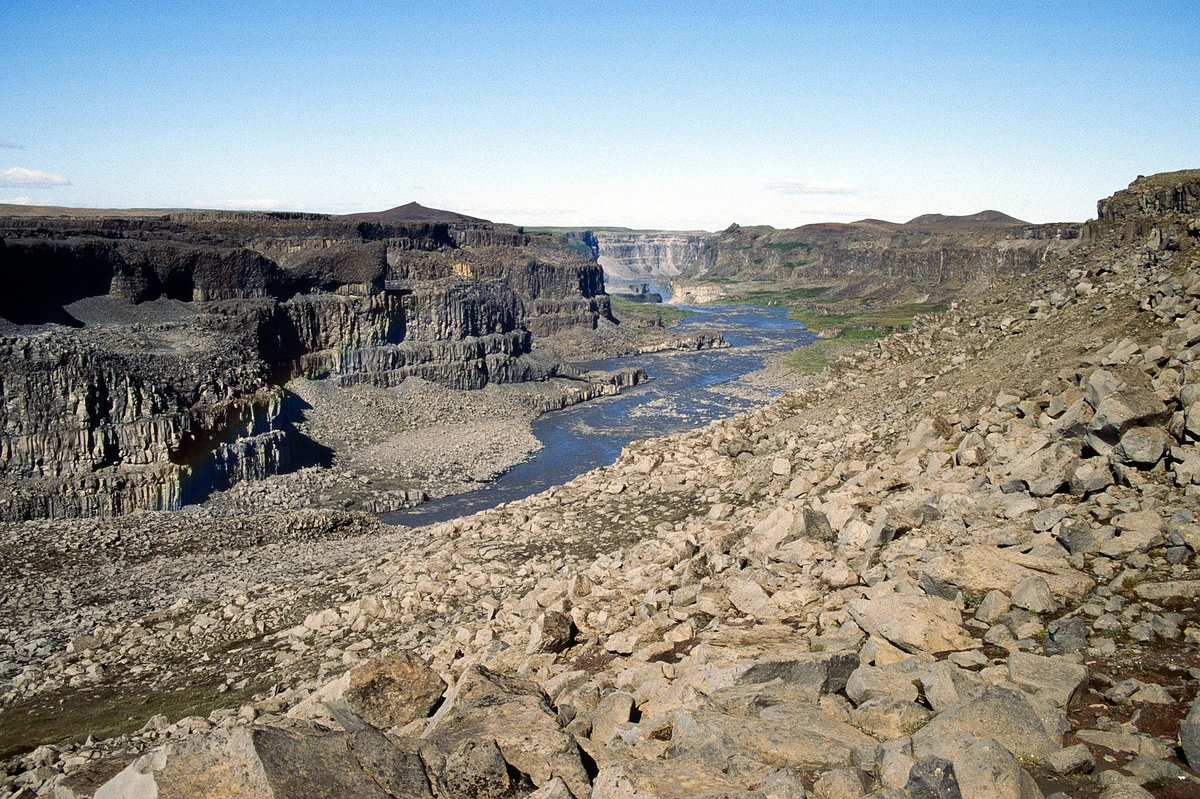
column 961, row 564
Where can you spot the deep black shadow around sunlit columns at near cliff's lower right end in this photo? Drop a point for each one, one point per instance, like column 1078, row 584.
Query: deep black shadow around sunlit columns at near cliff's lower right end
column 250, row 444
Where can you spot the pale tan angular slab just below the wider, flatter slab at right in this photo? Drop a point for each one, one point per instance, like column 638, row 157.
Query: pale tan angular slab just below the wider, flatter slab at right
column 914, row 623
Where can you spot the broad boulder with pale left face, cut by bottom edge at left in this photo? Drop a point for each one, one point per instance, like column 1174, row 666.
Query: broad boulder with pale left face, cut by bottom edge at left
column 274, row 764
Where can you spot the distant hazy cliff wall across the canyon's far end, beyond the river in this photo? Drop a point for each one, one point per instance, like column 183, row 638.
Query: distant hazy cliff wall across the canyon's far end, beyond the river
column 931, row 255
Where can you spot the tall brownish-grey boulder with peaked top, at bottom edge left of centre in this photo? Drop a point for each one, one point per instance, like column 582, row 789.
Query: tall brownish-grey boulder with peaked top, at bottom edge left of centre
column 518, row 716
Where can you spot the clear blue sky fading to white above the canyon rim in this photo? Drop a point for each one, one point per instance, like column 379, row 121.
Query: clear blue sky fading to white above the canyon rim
column 667, row 116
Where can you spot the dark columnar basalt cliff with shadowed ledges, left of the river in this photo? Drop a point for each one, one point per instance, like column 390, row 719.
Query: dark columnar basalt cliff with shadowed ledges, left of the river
column 104, row 416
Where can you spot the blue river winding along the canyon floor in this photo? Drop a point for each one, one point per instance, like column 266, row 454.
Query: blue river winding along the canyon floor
column 686, row 391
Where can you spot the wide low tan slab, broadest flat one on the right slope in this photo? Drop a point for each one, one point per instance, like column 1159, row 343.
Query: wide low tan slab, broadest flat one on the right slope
column 980, row 569
